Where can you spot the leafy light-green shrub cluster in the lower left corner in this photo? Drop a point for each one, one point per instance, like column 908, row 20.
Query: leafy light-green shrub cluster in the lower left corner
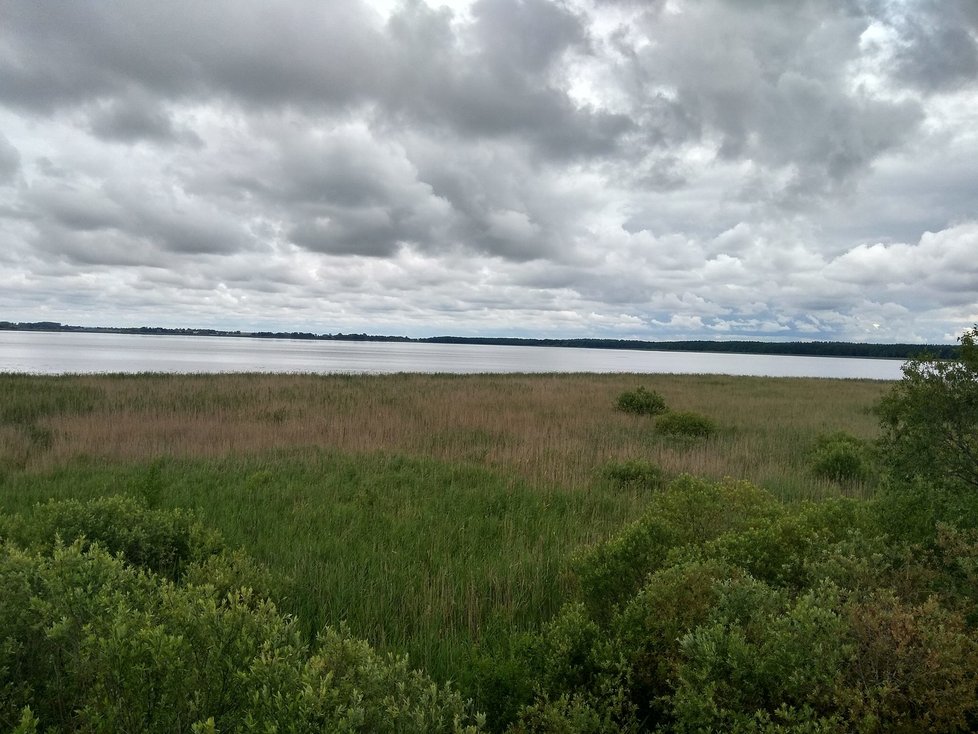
column 98, row 633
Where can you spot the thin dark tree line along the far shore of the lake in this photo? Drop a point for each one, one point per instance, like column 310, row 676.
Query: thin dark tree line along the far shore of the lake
column 803, row 349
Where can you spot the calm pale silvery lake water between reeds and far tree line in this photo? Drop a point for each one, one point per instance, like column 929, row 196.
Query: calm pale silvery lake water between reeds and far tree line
column 83, row 353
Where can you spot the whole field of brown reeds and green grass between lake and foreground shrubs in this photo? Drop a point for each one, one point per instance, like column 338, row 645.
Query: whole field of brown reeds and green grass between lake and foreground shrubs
column 426, row 511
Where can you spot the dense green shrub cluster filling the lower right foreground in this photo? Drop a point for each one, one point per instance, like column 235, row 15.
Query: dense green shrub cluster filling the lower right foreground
column 721, row 609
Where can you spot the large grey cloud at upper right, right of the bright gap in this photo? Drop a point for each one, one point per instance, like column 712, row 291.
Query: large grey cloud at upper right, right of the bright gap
column 770, row 85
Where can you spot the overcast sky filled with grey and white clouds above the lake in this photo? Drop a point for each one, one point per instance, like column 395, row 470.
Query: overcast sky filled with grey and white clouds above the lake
column 657, row 169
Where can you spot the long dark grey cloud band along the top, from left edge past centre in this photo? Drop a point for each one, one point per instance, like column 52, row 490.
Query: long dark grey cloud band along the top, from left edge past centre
column 321, row 57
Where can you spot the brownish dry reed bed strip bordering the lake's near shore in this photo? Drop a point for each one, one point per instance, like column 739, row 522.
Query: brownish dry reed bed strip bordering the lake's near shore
column 553, row 430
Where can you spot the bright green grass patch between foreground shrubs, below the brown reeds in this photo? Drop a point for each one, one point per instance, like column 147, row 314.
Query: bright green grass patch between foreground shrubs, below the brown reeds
column 416, row 555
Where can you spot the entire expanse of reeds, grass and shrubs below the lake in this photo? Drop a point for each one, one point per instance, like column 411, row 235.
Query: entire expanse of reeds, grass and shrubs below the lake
column 802, row 570
